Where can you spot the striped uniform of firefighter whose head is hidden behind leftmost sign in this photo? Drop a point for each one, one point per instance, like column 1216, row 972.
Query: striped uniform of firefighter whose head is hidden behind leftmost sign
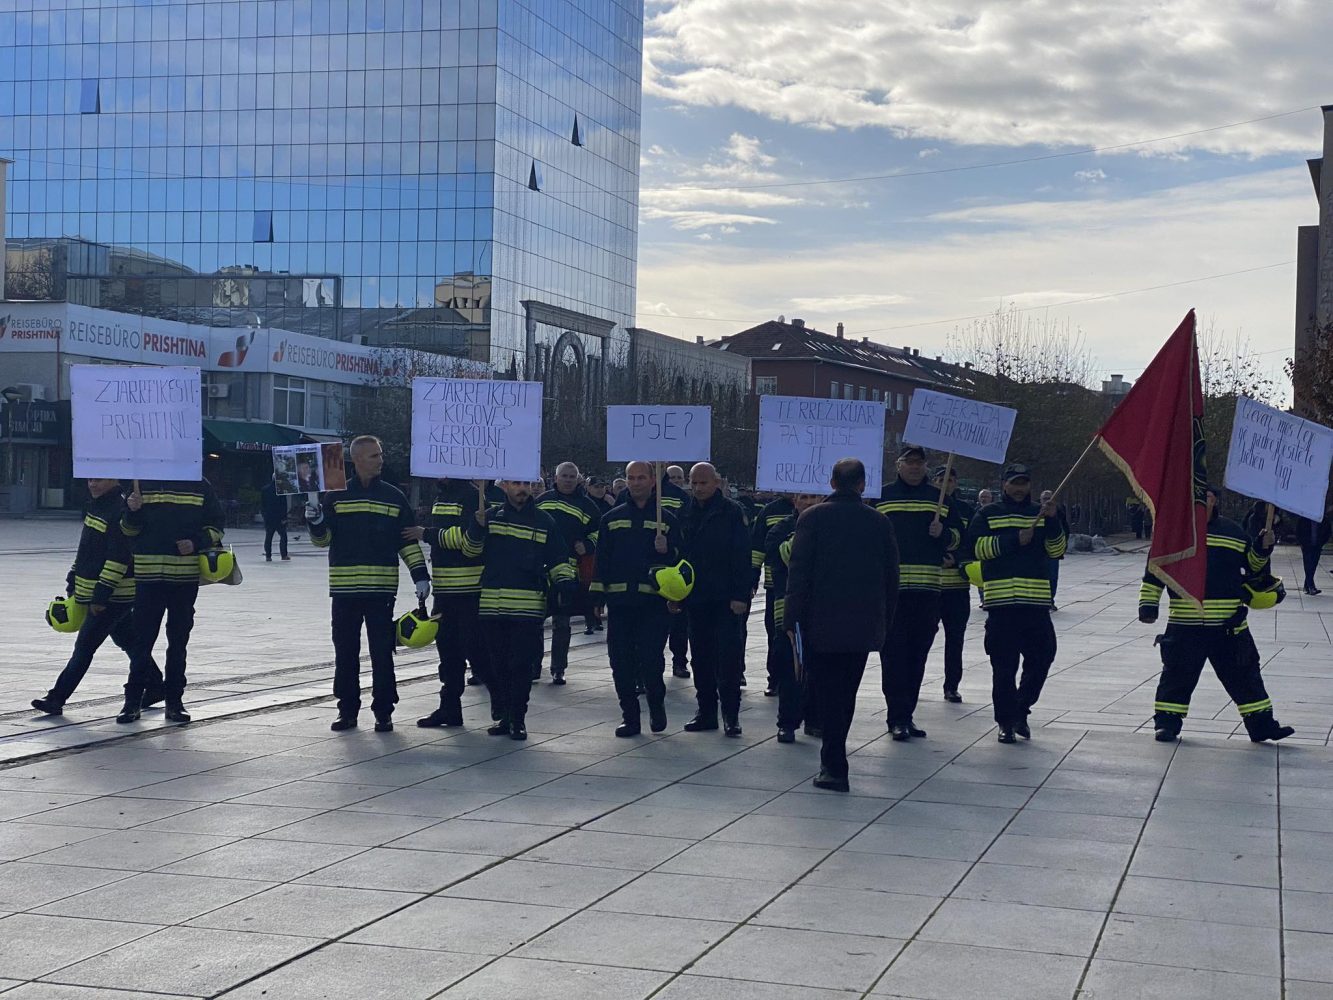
column 166, row 581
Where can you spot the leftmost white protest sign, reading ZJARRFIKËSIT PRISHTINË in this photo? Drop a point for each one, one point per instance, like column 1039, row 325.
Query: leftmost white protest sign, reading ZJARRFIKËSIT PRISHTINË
column 137, row 422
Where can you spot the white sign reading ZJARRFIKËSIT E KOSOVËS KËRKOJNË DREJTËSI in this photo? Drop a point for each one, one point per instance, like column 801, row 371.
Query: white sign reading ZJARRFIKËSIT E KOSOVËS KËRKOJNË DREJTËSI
column 477, row 429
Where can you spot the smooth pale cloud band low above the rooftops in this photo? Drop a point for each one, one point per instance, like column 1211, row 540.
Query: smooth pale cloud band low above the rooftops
column 1035, row 254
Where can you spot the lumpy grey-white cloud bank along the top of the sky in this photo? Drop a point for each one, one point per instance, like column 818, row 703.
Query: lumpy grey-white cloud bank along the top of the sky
column 1051, row 73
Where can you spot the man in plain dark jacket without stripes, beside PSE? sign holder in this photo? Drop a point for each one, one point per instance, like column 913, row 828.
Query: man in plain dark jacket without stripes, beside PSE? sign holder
column 718, row 546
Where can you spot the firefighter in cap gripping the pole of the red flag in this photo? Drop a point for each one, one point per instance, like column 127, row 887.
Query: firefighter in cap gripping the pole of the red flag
column 1014, row 541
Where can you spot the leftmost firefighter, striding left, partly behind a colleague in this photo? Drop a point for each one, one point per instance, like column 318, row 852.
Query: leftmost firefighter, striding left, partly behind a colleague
column 102, row 581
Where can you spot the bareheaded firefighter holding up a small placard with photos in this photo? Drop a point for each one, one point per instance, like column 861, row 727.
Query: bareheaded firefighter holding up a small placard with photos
column 367, row 530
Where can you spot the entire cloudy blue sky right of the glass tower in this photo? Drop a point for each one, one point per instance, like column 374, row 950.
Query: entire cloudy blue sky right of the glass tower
column 747, row 102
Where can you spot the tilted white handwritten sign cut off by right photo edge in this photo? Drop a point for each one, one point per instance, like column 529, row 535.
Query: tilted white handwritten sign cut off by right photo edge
column 1280, row 458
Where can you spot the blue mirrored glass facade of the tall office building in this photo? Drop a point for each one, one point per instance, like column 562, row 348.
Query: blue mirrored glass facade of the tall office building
column 458, row 175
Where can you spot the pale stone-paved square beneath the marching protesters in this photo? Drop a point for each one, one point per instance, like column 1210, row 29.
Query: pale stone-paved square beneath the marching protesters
column 255, row 854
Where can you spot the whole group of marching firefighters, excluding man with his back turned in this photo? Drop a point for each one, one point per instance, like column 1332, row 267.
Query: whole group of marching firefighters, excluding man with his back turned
column 674, row 567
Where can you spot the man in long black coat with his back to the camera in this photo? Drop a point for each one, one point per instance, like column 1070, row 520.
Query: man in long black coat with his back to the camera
column 842, row 591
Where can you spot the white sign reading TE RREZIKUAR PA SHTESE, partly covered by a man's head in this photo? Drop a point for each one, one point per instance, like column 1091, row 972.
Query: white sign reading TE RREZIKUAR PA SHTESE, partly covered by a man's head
column 800, row 439
